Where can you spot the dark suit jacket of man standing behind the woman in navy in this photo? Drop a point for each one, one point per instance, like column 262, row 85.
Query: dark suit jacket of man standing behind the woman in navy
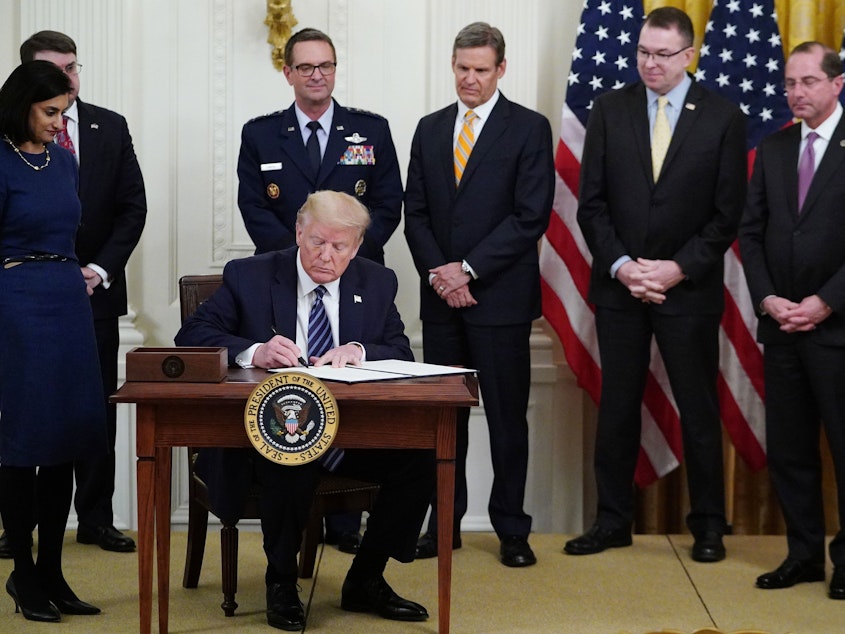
column 114, row 205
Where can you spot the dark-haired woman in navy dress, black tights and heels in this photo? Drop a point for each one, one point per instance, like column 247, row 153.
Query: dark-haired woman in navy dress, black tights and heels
column 51, row 401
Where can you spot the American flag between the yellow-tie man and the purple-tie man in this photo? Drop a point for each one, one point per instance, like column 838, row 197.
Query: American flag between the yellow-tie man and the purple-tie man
column 742, row 58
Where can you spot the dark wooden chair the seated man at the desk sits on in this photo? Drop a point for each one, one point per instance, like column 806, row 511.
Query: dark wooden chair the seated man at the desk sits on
column 334, row 494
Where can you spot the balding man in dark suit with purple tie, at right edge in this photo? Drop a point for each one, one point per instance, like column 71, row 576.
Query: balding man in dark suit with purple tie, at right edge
column 792, row 238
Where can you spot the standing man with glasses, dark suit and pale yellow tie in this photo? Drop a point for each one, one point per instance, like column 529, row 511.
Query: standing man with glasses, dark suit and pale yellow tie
column 657, row 224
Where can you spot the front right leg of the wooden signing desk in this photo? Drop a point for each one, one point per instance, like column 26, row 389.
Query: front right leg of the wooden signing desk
column 446, row 437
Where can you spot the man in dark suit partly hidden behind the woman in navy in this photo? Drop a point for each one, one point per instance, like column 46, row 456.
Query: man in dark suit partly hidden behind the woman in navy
column 114, row 210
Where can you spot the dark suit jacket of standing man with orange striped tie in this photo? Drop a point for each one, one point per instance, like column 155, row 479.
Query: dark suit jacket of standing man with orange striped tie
column 493, row 220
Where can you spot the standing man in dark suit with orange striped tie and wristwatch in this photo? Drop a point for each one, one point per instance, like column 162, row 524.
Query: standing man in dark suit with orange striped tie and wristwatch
column 472, row 225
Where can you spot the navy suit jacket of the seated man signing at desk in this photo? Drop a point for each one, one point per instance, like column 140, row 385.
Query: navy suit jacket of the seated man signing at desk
column 259, row 293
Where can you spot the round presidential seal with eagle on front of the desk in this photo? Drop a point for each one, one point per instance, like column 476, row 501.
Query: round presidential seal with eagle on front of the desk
column 291, row 418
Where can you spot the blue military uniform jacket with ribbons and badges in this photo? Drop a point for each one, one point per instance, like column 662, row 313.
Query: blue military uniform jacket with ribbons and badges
column 270, row 196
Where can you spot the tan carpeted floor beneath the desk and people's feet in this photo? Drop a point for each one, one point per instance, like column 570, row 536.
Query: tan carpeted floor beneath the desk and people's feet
column 650, row 586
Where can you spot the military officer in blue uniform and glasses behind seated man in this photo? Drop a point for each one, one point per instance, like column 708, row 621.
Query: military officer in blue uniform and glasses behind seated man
column 316, row 144
